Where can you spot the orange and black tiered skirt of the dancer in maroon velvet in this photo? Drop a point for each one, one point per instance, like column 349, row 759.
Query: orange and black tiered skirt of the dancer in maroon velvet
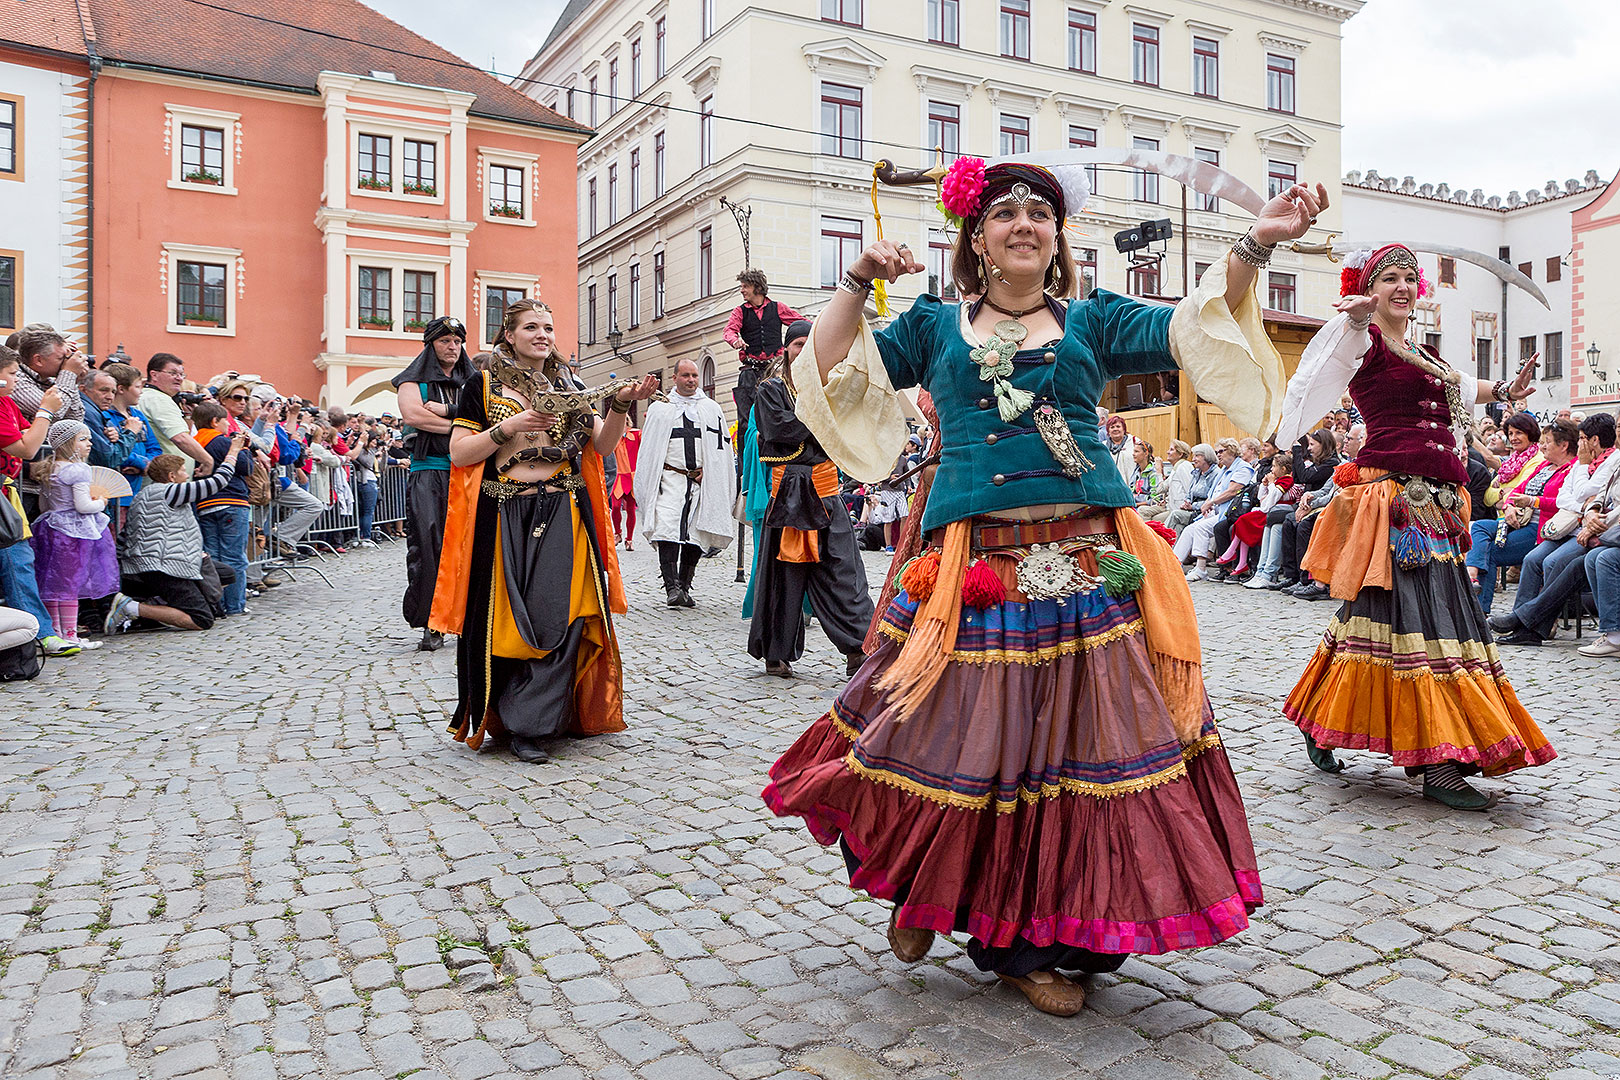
column 1409, row 666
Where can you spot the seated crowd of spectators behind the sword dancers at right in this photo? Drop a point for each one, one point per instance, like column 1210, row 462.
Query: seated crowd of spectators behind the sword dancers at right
column 1543, row 504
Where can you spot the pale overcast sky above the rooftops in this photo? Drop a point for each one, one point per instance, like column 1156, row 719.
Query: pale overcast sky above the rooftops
column 1493, row 95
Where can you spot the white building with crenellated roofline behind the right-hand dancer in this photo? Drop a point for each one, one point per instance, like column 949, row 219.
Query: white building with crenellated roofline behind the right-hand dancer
column 1480, row 325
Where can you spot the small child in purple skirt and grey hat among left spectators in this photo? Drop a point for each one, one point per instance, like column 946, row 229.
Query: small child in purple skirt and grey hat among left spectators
column 75, row 556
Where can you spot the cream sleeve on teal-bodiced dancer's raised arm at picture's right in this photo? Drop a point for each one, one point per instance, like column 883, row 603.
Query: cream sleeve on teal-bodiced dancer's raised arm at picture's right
column 1227, row 354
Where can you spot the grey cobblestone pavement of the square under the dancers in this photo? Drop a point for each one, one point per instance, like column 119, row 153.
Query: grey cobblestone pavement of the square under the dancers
column 255, row 854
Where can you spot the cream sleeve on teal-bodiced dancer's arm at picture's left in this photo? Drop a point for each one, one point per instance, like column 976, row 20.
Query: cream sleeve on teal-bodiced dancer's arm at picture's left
column 856, row 415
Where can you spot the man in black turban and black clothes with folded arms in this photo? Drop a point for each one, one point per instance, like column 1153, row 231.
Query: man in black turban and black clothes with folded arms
column 427, row 396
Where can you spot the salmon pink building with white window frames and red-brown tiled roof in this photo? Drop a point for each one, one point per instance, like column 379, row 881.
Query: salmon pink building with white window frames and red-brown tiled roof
column 292, row 190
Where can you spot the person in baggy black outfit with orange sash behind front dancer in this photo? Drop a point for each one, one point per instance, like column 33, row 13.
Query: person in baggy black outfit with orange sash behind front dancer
column 808, row 545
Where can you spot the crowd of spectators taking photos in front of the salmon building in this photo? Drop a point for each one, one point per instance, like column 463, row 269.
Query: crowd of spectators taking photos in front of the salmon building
column 218, row 474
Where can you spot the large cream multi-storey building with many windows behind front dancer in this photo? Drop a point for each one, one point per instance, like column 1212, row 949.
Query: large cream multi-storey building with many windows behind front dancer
column 783, row 109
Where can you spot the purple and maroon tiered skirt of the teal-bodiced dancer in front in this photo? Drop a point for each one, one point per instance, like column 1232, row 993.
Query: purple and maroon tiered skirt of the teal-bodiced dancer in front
column 1039, row 799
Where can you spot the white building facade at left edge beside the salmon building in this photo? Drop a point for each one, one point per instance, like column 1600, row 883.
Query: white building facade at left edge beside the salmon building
column 45, row 187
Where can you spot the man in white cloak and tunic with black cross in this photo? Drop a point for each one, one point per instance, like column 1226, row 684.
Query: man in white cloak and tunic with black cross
column 684, row 482
